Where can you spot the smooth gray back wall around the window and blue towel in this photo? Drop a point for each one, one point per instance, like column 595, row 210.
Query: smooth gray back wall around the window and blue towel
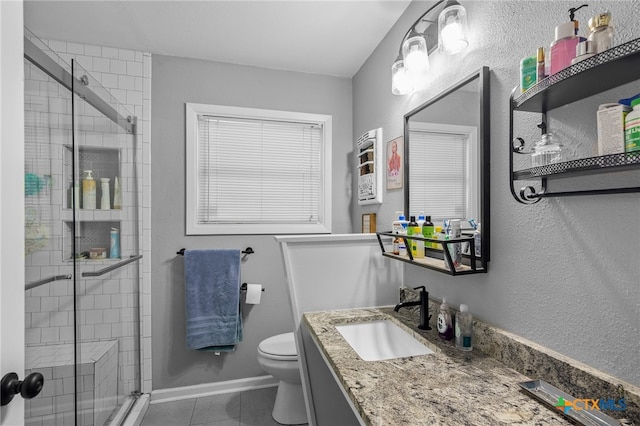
column 175, row 82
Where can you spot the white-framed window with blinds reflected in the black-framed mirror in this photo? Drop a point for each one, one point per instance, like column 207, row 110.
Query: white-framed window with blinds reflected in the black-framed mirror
column 443, row 173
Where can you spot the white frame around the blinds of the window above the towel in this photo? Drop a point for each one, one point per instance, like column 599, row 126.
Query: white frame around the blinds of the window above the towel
column 192, row 111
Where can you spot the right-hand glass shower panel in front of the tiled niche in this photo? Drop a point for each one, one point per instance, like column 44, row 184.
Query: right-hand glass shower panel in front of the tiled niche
column 103, row 164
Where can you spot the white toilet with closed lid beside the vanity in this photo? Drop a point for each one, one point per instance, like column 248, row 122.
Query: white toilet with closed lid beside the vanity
column 277, row 355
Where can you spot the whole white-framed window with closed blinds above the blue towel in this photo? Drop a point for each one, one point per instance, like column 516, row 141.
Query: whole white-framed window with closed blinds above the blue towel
column 255, row 171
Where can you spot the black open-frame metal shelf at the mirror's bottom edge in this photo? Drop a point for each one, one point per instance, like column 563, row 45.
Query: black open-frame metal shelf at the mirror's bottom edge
column 437, row 259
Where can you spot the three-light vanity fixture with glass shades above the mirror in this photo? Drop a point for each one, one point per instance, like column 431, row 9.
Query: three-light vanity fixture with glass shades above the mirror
column 409, row 70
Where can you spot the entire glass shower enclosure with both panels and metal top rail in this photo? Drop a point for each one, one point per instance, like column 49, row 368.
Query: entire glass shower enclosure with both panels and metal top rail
column 82, row 310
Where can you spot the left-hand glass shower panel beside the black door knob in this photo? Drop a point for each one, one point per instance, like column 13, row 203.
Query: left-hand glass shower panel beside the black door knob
column 49, row 302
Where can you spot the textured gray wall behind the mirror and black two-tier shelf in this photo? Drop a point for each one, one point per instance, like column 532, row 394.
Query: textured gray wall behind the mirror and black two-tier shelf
column 564, row 272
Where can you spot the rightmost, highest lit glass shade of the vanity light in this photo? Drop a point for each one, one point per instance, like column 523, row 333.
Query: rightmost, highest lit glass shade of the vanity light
column 452, row 29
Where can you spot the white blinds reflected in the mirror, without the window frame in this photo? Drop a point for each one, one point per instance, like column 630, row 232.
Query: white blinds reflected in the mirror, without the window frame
column 438, row 174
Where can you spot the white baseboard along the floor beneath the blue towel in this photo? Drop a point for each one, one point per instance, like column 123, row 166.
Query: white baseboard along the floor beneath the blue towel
column 216, row 388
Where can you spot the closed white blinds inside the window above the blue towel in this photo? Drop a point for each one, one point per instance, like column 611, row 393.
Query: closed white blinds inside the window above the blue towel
column 258, row 171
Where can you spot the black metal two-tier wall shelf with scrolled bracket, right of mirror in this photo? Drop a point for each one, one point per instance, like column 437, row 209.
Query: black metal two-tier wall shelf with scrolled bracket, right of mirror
column 604, row 71
